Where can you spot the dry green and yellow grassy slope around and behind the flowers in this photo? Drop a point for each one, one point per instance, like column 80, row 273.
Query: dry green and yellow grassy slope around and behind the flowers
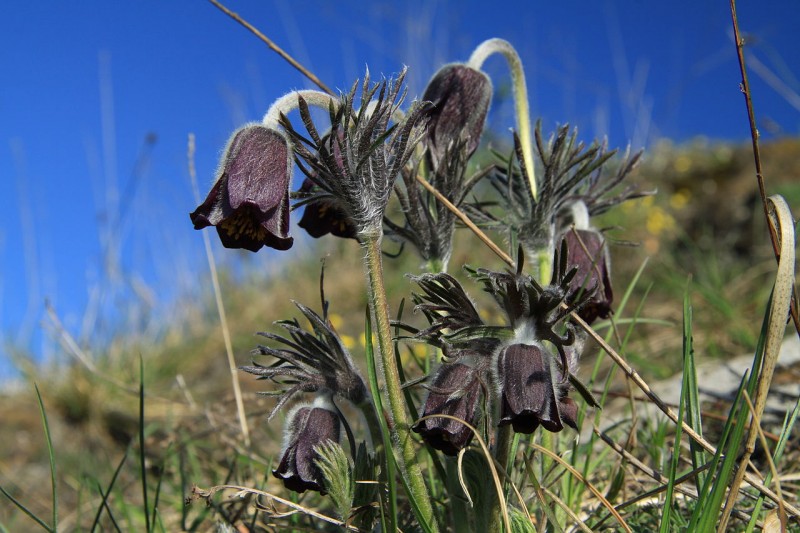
column 121, row 446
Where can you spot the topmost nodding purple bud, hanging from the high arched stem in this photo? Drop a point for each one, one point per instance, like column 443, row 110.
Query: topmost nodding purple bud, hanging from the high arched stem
column 460, row 96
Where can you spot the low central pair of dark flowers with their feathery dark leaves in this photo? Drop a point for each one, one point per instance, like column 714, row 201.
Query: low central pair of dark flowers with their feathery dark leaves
column 523, row 369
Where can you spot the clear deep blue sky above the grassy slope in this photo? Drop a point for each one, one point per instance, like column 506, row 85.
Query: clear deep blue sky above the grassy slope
column 97, row 99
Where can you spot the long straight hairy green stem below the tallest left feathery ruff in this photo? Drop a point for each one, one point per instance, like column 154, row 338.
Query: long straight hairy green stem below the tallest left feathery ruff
column 399, row 423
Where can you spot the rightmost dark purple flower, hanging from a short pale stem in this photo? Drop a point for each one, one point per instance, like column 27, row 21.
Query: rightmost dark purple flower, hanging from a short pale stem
column 587, row 251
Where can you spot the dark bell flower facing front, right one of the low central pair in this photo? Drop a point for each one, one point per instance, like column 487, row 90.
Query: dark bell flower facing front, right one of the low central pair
column 531, row 390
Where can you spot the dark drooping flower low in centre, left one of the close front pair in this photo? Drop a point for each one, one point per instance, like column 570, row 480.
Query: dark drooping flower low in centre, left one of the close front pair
column 455, row 391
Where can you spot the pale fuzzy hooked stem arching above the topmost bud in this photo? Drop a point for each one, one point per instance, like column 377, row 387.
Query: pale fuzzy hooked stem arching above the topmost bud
column 476, row 60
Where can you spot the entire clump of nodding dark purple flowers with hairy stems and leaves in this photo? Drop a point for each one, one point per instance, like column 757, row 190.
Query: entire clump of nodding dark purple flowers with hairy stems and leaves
column 375, row 168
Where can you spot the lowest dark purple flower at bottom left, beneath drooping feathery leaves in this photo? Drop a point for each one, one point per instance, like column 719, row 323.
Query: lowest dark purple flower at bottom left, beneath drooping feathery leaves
column 307, row 427
